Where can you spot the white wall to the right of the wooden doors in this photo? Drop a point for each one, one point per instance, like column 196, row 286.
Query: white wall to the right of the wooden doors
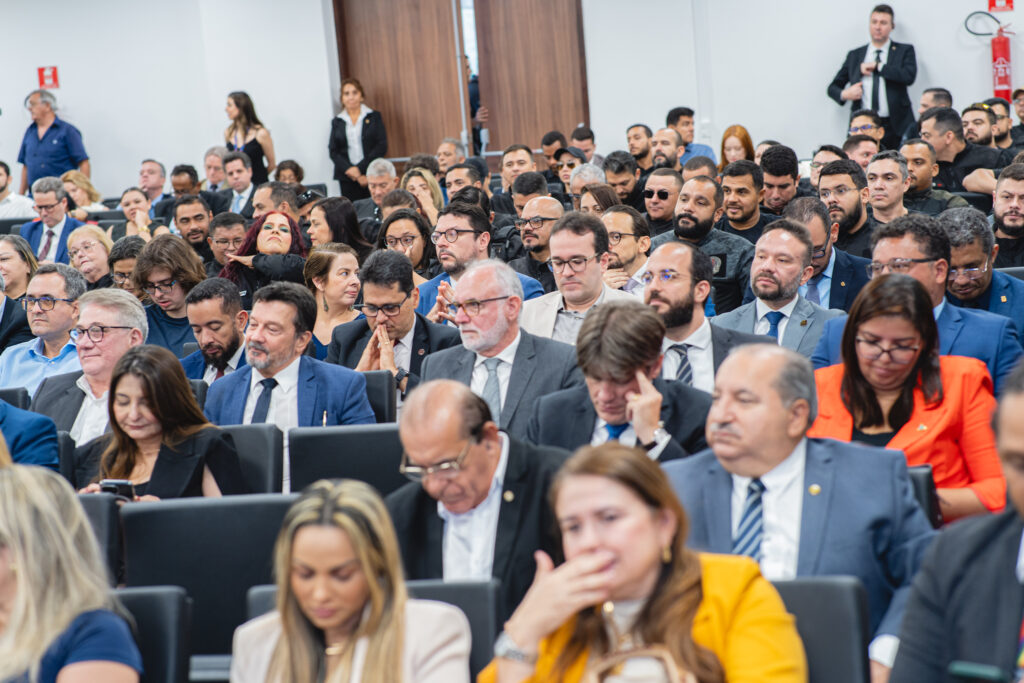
column 764, row 64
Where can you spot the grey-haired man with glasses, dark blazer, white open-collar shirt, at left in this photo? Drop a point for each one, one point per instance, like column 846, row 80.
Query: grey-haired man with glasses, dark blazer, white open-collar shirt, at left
column 111, row 322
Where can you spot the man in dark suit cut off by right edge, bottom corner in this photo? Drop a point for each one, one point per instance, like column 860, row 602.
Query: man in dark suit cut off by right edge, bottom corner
column 967, row 602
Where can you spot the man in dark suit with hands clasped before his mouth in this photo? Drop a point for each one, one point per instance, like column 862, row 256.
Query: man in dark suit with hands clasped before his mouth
column 393, row 336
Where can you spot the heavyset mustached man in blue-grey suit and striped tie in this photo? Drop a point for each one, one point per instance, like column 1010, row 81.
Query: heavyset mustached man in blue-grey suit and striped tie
column 797, row 505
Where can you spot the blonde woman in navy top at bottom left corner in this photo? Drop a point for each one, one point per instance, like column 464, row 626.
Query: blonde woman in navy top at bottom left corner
column 59, row 620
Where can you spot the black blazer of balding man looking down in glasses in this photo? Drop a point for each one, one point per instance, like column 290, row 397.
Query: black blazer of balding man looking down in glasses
column 526, row 524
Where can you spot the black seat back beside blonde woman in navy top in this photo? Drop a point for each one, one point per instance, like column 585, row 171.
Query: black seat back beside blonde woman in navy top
column 163, row 616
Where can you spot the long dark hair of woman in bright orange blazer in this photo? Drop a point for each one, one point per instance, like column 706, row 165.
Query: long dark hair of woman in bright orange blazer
column 905, row 297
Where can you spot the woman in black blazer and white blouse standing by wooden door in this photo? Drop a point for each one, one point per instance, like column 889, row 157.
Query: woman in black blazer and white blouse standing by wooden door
column 358, row 138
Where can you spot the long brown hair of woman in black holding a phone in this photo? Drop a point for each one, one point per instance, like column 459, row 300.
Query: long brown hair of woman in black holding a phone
column 170, row 400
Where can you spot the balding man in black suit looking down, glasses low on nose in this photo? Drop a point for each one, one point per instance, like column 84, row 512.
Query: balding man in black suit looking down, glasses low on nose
column 479, row 507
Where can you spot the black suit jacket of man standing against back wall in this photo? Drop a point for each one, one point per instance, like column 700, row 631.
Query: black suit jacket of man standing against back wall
column 901, row 71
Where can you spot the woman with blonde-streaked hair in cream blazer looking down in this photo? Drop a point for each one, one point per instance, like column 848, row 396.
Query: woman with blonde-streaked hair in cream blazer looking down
column 344, row 614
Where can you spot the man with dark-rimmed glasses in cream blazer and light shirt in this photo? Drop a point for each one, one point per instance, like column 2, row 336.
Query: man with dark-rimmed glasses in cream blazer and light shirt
column 580, row 257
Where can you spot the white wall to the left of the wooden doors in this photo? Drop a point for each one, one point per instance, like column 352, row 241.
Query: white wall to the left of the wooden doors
column 150, row 79
